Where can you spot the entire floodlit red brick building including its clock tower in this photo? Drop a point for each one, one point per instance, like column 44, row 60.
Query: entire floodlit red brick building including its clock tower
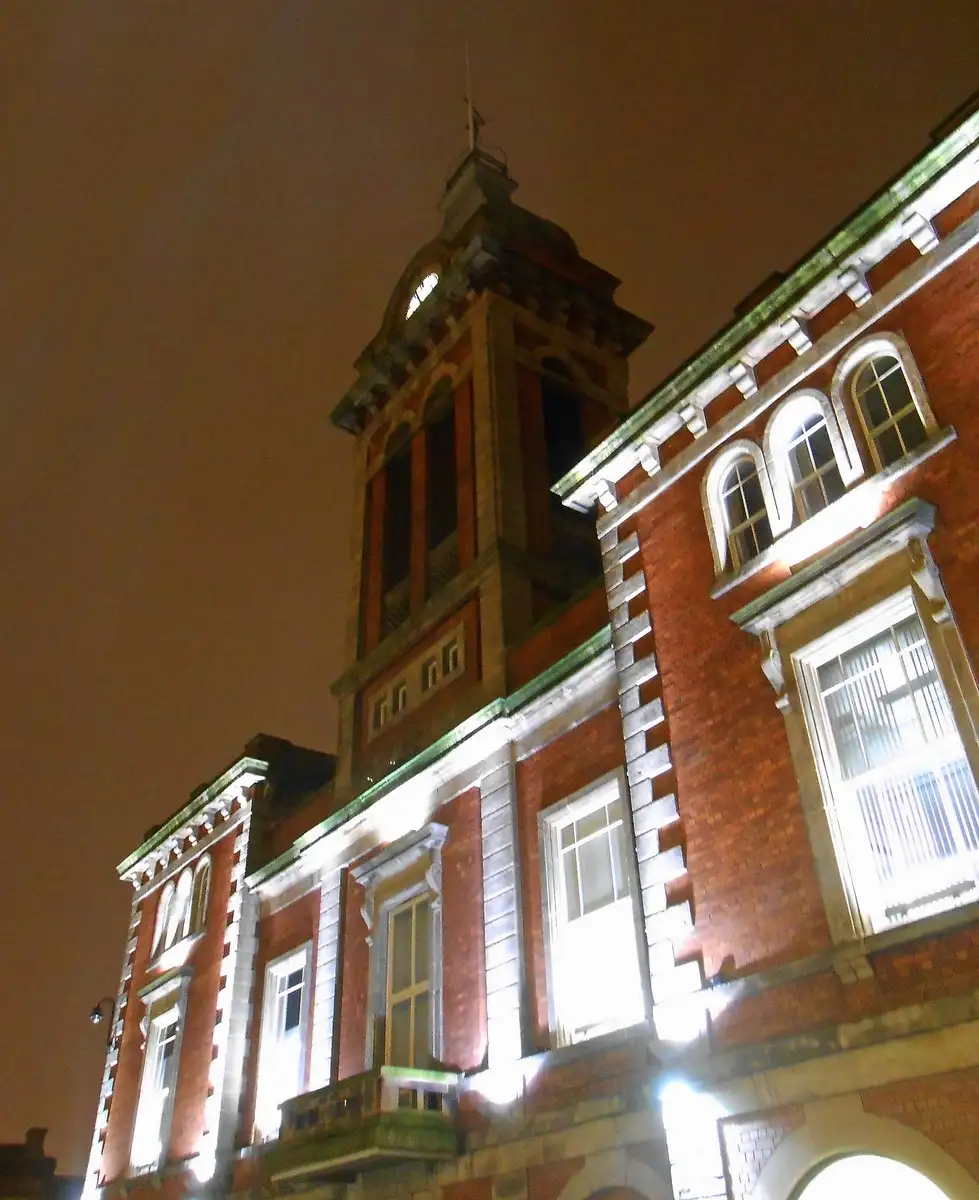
column 647, row 863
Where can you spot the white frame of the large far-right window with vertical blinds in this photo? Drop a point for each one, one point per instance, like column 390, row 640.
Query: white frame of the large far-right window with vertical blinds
column 807, row 662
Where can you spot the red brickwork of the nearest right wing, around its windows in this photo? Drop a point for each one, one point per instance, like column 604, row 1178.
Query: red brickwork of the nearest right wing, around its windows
column 756, row 898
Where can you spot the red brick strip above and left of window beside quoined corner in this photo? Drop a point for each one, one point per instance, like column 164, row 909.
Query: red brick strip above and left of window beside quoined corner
column 555, row 773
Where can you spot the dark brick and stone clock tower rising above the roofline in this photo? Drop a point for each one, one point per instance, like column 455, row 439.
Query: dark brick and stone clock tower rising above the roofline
column 501, row 361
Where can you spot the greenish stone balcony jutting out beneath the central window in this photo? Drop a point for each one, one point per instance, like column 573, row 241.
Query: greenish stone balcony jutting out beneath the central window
column 383, row 1118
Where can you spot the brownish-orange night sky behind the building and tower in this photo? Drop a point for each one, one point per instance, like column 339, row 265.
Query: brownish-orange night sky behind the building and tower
column 203, row 208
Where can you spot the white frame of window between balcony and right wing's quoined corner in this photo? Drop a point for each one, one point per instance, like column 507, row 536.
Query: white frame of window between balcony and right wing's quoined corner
column 551, row 824
